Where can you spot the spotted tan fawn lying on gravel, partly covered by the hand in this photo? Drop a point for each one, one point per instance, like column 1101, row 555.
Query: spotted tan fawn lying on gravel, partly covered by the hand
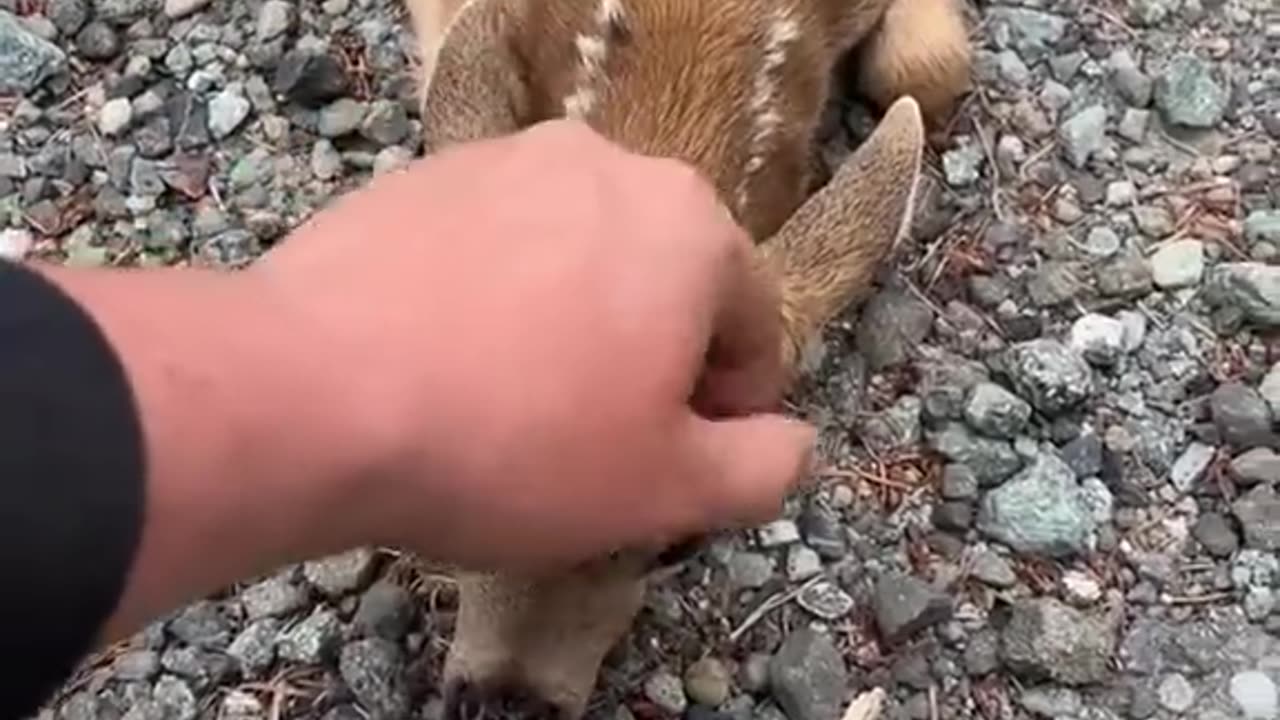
column 735, row 89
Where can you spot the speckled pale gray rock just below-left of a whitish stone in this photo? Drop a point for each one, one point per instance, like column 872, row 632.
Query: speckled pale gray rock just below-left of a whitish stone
column 1050, row 375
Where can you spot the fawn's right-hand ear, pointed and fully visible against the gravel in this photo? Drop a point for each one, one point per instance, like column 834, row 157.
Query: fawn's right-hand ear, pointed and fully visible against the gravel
column 828, row 254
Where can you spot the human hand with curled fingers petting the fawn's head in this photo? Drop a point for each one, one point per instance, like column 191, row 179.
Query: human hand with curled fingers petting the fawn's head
column 532, row 323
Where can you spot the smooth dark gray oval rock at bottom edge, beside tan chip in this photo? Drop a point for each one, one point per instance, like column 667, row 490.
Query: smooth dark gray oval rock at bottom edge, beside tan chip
column 808, row 677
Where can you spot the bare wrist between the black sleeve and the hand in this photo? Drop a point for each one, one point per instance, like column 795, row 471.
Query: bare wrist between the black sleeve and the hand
column 253, row 446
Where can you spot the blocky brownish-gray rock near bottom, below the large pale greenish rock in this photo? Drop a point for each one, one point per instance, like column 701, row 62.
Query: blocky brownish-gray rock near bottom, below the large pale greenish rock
column 1049, row 640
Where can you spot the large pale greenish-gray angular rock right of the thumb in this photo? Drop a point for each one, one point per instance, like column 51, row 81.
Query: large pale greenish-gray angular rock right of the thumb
column 1041, row 512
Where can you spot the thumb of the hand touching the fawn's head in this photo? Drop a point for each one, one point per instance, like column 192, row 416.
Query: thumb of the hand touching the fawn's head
column 749, row 464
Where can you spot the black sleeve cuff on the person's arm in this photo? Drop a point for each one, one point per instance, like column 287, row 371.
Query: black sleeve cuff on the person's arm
column 74, row 491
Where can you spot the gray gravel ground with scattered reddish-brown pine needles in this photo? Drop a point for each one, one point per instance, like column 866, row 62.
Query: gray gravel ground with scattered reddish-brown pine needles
column 1050, row 439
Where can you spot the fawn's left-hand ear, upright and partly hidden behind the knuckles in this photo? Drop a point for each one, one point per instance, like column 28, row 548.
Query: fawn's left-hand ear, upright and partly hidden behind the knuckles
column 476, row 86
